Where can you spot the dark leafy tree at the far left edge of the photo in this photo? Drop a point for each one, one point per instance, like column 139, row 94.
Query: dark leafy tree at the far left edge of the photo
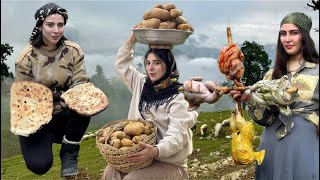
column 6, row 50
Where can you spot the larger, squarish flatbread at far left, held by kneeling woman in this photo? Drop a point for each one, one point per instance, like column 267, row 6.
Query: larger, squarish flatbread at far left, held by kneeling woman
column 31, row 106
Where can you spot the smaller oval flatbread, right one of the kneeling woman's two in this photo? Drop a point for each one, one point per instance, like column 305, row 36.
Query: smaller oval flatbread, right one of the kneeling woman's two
column 85, row 99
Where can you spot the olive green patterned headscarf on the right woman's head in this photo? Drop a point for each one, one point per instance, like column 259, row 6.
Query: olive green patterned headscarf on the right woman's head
column 298, row 19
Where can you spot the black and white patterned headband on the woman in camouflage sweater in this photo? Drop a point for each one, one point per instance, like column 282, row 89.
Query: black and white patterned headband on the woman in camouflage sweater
column 42, row 13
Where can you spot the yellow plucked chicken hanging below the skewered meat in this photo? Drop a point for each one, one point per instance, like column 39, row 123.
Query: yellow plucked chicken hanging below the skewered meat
column 242, row 138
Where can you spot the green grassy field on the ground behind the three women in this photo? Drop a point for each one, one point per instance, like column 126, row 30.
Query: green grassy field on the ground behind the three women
column 91, row 162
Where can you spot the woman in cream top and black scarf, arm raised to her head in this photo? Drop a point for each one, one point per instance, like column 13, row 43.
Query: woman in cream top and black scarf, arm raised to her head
column 156, row 96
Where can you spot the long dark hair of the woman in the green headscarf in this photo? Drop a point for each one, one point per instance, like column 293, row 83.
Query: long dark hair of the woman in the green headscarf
column 309, row 53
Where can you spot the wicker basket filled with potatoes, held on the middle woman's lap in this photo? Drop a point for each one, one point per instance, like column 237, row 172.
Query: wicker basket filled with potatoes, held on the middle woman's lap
column 119, row 138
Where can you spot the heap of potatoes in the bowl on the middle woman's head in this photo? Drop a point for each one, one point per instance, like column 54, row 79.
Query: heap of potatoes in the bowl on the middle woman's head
column 165, row 16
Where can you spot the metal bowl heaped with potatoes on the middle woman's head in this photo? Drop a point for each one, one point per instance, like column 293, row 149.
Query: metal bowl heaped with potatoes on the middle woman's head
column 163, row 25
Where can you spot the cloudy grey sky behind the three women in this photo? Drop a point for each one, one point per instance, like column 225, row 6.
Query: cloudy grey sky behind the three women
column 101, row 26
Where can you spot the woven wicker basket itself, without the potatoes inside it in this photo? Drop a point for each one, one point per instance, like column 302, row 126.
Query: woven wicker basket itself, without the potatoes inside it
column 116, row 158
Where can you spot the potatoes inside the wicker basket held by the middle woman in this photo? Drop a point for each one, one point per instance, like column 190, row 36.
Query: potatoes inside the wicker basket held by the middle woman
column 126, row 134
